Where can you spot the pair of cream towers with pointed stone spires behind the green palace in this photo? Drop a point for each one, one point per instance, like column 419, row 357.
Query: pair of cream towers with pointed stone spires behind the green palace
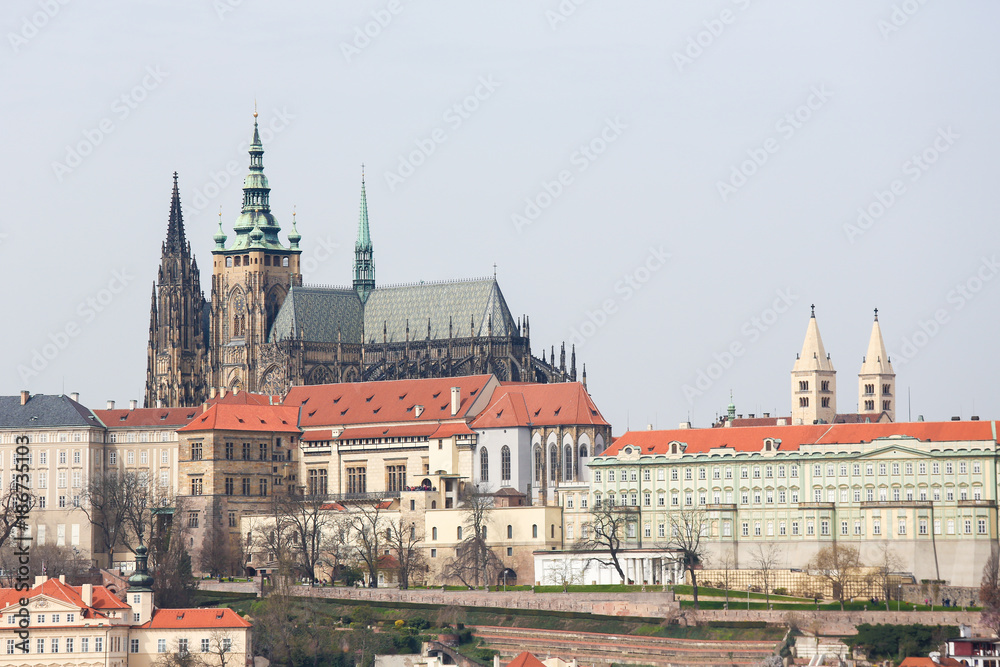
column 814, row 382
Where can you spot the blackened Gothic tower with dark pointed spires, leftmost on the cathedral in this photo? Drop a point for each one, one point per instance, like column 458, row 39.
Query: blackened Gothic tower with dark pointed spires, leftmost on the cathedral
column 176, row 354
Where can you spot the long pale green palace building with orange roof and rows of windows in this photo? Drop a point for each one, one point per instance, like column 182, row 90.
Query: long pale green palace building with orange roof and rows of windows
column 926, row 490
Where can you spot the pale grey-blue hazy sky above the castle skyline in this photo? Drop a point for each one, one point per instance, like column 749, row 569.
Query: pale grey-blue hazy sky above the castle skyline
column 667, row 185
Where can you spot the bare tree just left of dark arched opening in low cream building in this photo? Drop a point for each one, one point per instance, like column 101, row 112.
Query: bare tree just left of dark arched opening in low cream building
column 474, row 560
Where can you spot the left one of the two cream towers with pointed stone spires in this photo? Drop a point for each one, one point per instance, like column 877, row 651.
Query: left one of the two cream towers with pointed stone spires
column 814, row 380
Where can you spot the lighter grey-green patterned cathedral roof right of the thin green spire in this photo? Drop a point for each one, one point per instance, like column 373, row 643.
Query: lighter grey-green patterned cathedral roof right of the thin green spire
column 462, row 303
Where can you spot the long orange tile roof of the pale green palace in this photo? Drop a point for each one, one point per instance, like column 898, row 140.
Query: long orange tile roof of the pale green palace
column 751, row 439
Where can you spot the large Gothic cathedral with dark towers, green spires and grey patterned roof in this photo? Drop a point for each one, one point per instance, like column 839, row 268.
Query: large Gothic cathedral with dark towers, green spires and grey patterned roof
column 263, row 331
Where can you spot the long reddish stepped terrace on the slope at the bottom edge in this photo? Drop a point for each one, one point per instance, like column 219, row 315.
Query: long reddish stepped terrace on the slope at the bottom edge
column 603, row 650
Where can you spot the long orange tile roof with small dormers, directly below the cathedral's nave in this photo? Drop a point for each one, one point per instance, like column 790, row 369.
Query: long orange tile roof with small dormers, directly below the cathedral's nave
column 389, row 401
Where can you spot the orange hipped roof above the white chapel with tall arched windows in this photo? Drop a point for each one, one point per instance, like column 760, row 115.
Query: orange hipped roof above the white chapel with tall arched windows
column 539, row 405
